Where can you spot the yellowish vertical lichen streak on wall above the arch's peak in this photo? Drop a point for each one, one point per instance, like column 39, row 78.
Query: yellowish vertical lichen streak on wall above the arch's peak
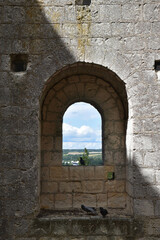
column 83, row 26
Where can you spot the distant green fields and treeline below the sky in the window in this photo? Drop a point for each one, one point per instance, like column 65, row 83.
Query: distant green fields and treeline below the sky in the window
column 71, row 157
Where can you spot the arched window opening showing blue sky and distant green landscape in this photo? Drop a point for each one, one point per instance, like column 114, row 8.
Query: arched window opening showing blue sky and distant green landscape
column 82, row 135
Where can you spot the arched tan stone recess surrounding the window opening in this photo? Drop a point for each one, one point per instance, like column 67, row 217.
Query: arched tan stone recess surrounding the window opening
column 67, row 187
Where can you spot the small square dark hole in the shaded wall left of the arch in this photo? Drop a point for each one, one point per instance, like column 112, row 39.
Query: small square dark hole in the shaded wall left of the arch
column 19, row 62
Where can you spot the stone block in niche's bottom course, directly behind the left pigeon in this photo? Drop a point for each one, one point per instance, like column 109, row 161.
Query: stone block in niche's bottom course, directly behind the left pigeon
column 86, row 199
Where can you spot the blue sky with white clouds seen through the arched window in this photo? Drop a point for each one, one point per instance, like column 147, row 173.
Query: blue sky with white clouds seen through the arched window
column 81, row 127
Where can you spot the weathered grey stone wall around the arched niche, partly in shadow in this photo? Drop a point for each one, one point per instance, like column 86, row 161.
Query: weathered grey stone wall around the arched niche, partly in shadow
column 47, row 37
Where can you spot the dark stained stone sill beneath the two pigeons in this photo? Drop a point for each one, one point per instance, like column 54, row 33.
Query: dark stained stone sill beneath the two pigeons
column 84, row 226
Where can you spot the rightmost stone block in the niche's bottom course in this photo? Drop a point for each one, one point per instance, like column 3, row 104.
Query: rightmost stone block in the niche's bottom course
column 116, row 200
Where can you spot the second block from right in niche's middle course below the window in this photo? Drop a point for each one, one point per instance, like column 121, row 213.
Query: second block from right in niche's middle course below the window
column 92, row 186
